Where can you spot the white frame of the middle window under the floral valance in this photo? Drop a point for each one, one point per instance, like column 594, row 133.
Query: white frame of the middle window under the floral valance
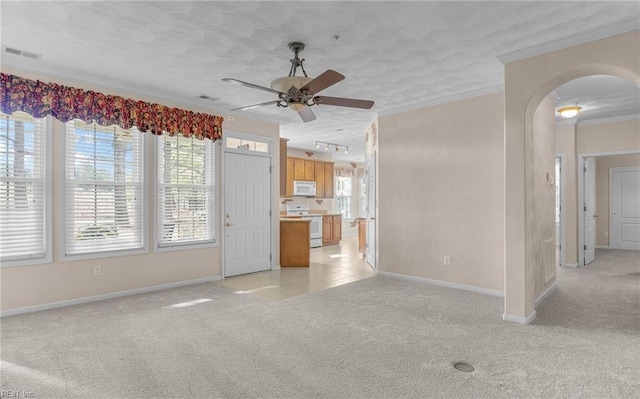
column 62, row 222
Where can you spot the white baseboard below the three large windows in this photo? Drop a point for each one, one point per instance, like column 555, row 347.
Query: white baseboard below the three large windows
column 102, row 297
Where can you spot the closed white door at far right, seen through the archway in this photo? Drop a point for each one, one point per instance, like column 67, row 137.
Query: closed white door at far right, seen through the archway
column 625, row 208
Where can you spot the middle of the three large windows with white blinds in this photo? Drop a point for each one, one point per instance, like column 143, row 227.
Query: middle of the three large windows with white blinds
column 104, row 189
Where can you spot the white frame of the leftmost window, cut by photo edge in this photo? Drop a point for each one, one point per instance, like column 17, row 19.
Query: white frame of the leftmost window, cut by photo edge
column 48, row 202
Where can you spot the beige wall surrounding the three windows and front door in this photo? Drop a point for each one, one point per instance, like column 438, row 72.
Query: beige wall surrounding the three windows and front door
column 37, row 285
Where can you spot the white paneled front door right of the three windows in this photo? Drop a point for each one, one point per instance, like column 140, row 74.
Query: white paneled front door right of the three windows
column 247, row 219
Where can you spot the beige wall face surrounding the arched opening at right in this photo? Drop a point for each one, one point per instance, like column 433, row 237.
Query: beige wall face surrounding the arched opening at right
column 527, row 83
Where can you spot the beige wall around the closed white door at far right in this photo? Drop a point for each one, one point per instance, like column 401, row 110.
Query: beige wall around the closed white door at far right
column 603, row 164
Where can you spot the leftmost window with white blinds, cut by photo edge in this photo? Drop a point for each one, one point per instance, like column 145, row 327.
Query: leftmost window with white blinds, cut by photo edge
column 24, row 199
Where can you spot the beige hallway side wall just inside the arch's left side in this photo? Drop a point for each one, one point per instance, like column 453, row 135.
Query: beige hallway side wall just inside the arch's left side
column 541, row 244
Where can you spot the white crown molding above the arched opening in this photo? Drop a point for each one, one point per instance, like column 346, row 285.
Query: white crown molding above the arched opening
column 590, row 36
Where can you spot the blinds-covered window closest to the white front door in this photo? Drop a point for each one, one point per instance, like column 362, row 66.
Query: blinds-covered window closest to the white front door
column 185, row 208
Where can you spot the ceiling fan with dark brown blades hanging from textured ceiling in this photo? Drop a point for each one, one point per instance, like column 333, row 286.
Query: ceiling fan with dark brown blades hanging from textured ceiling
column 299, row 92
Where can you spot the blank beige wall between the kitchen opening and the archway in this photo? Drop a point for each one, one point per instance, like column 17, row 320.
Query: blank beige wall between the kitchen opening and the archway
column 441, row 192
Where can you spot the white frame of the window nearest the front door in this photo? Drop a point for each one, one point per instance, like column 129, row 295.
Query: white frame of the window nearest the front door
column 181, row 246
